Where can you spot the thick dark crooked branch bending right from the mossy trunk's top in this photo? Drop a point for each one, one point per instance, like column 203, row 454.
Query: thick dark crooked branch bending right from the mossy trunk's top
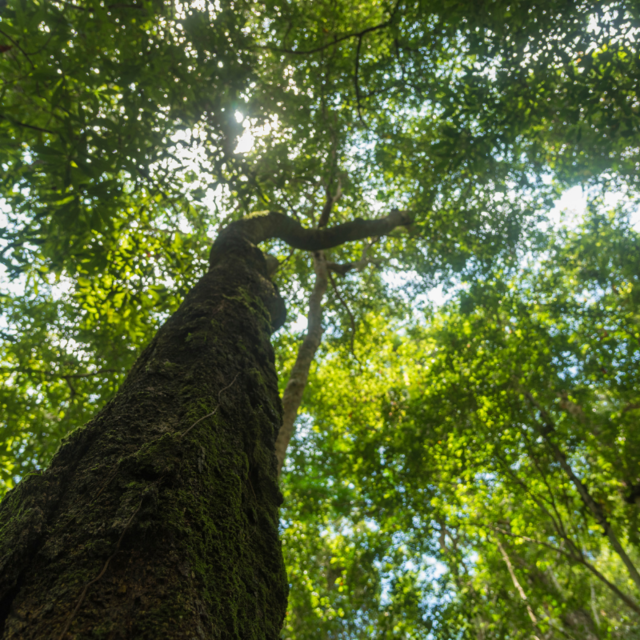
column 270, row 225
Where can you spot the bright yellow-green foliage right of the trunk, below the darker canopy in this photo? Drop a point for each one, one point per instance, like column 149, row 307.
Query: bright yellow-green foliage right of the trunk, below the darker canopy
column 446, row 458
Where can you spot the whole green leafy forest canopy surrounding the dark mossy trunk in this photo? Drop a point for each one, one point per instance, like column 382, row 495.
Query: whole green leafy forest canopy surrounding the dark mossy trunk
column 466, row 469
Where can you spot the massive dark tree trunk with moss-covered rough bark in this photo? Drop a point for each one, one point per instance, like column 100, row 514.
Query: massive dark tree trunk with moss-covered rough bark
column 159, row 518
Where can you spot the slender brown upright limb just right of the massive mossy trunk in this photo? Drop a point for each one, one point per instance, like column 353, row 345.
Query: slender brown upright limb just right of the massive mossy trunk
column 292, row 397
